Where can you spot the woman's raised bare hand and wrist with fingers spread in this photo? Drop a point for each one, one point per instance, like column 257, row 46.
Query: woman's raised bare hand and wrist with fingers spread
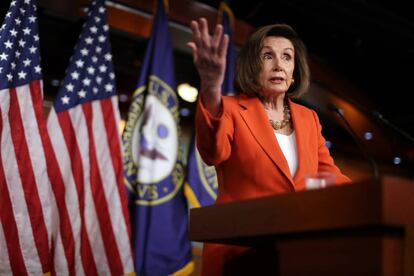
column 209, row 56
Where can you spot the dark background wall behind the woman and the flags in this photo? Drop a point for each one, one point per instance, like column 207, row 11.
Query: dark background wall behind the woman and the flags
column 361, row 56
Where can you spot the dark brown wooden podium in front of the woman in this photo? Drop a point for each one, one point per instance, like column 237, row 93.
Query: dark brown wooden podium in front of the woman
column 358, row 229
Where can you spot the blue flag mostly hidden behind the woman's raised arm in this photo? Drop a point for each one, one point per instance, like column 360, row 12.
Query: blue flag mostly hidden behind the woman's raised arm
column 202, row 179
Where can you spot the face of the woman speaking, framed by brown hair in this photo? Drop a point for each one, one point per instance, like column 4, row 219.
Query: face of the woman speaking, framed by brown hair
column 278, row 63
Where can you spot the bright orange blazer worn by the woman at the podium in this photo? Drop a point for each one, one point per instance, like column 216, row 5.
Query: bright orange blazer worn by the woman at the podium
column 242, row 146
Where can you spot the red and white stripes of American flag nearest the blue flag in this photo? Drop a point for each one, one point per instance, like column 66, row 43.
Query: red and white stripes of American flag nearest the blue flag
column 88, row 149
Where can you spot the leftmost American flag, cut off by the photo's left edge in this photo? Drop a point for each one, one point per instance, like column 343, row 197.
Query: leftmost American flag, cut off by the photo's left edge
column 25, row 213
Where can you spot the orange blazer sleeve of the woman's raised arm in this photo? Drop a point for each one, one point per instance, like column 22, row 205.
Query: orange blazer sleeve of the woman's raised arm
column 214, row 135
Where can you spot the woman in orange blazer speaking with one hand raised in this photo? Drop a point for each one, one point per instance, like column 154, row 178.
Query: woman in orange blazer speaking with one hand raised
column 260, row 142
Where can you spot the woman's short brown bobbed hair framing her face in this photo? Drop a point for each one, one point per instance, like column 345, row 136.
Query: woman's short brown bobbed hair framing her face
column 249, row 64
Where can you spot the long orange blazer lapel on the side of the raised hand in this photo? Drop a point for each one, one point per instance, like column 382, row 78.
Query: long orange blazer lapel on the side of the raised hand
column 256, row 119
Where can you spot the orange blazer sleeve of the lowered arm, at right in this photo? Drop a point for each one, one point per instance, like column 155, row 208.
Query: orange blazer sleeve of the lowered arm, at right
column 325, row 160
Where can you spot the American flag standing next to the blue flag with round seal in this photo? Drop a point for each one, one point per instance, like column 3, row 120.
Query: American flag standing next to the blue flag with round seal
column 83, row 126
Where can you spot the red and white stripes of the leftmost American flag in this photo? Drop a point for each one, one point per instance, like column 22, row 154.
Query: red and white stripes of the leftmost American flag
column 25, row 205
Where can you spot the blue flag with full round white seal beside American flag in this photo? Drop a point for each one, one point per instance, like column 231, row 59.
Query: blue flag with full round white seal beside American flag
column 153, row 163
